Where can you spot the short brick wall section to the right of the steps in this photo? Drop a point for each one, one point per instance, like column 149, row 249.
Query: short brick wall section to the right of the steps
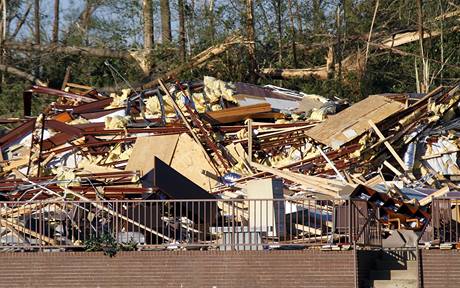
column 441, row 268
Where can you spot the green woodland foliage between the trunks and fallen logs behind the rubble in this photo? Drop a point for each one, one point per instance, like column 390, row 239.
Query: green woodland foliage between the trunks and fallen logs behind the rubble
column 117, row 24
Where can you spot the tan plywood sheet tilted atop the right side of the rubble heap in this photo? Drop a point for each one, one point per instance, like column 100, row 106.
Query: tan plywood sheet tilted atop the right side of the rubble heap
column 350, row 123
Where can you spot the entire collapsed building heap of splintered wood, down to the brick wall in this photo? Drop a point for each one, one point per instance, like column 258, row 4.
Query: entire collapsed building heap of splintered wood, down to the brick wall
column 217, row 165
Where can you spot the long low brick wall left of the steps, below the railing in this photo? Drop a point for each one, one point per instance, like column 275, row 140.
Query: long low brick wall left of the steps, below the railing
column 306, row 268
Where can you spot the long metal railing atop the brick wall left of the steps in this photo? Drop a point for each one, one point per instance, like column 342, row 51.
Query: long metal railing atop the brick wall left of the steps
column 236, row 224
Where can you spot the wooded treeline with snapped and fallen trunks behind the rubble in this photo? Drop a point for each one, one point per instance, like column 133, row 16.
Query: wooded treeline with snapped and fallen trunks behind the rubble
column 306, row 44
